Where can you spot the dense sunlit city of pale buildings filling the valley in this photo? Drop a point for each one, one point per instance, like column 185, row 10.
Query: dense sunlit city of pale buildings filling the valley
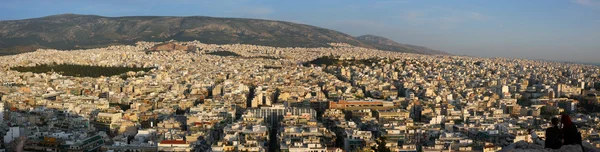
column 237, row 97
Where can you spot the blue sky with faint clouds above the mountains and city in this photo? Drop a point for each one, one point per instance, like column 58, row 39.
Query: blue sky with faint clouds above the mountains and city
column 559, row 30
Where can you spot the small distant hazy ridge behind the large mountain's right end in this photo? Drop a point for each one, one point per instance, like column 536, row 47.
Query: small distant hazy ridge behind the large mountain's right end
column 382, row 43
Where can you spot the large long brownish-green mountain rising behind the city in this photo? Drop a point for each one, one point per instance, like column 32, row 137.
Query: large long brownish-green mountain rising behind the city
column 73, row 31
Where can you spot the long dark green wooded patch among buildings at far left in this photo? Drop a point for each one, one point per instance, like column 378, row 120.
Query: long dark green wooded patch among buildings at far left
column 80, row 70
